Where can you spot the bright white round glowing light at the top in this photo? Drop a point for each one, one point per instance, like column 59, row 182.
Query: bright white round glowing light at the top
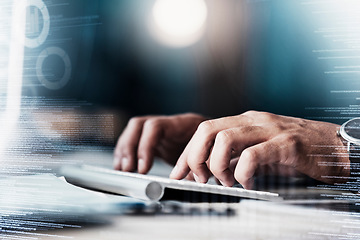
column 179, row 23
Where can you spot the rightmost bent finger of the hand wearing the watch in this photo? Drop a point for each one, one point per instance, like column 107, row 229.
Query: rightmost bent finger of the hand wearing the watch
column 274, row 151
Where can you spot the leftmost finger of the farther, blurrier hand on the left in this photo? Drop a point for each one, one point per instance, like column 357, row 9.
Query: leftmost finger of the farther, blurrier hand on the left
column 125, row 154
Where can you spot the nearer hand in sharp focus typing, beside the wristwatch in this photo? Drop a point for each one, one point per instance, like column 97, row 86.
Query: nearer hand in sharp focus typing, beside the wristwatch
column 235, row 148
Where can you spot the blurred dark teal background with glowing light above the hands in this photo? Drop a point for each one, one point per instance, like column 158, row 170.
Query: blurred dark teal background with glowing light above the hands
column 88, row 66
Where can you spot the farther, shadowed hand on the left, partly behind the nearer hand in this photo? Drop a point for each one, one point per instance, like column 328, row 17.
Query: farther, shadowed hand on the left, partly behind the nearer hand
column 154, row 136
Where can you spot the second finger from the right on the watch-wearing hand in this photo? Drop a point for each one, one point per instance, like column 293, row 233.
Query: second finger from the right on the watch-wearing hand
column 229, row 141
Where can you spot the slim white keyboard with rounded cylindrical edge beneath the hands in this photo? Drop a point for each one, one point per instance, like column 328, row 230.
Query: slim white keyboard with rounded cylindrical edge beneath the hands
column 149, row 187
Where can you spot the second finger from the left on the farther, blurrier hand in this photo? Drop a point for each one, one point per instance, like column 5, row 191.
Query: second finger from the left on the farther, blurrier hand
column 151, row 134
